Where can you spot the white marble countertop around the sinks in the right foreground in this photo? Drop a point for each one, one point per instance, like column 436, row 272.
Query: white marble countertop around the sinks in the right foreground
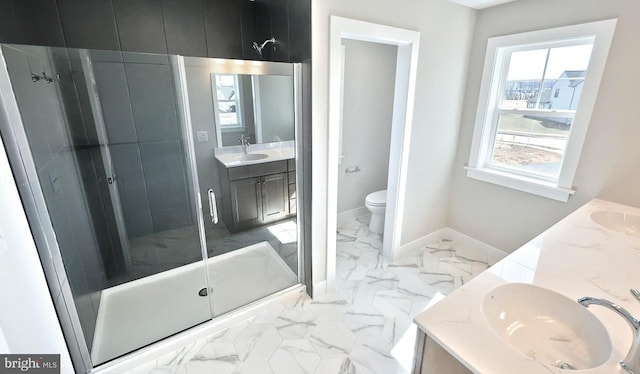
column 576, row 258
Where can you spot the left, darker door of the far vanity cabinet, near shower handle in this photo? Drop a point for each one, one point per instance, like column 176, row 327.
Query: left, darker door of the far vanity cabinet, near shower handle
column 245, row 202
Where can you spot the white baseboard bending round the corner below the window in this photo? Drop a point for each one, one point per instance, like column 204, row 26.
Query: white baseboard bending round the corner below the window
column 493, row 254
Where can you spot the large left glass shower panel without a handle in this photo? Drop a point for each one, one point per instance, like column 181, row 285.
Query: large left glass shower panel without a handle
column 101, row 131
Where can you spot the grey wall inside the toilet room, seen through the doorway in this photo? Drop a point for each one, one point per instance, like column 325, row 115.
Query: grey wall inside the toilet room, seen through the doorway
column 367, row 112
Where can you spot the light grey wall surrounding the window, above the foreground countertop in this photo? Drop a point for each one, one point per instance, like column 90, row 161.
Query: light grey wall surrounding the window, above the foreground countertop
column 608, row 166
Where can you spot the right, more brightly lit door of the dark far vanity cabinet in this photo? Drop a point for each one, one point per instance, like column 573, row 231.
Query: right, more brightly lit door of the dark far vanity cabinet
column 275, row 197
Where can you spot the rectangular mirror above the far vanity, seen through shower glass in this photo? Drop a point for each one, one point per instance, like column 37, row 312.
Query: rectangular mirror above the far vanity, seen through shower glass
column 254, row 106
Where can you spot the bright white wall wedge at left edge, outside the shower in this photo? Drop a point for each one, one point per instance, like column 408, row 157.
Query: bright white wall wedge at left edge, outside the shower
column 28, row 322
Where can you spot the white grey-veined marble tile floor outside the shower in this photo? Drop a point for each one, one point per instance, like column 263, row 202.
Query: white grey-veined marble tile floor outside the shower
column 365, row 327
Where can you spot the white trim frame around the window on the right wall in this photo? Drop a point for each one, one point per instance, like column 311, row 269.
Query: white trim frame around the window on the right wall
column 483, row 132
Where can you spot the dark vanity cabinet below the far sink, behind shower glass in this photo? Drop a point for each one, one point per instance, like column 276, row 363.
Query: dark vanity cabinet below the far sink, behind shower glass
column 255, row 195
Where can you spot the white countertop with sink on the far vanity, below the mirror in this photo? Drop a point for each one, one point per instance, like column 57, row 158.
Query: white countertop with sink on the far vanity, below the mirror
column 233, row 156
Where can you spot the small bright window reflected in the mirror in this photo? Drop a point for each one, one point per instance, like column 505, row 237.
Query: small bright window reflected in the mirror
column 227, row 101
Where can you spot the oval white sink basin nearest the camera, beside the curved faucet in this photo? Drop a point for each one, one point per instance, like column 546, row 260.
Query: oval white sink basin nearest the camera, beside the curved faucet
column 546, row 326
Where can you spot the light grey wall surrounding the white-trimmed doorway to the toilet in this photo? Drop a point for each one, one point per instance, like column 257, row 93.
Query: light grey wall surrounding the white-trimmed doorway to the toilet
column 446, row 32
